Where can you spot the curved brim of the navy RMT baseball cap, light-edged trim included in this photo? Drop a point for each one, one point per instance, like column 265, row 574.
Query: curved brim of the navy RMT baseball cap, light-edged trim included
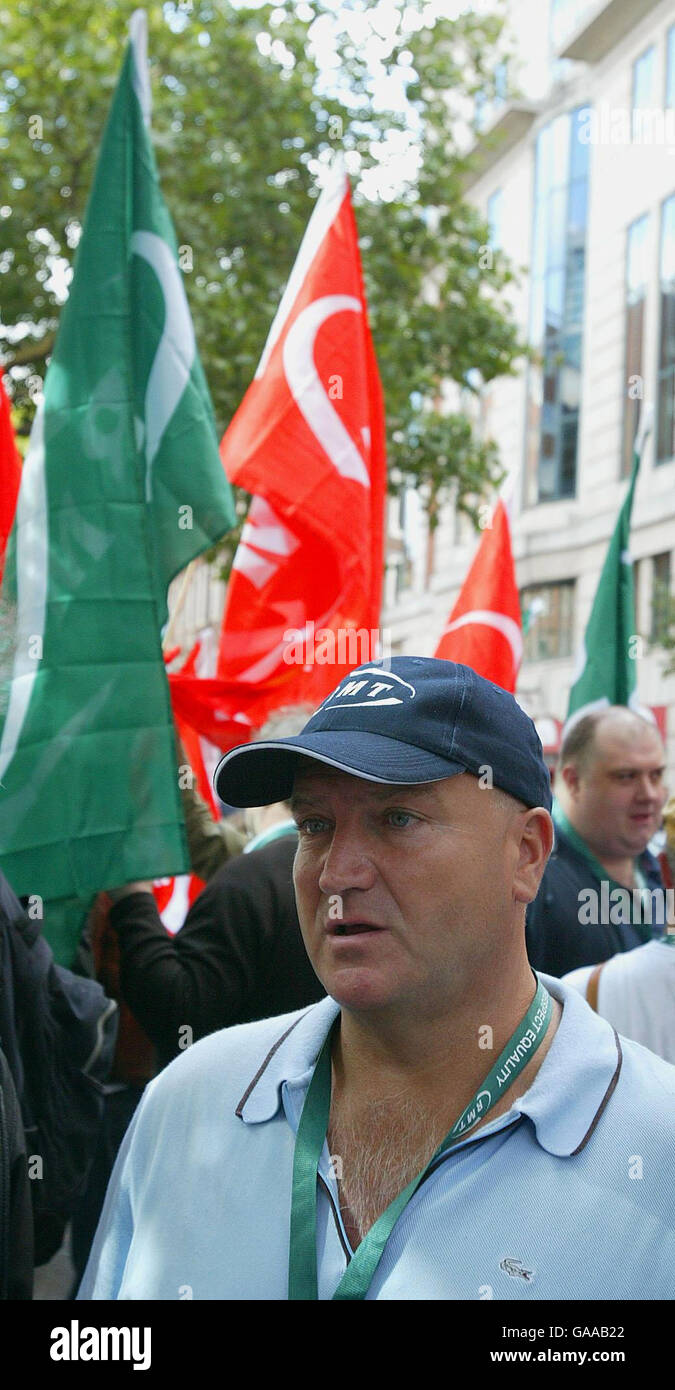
column 256, row 775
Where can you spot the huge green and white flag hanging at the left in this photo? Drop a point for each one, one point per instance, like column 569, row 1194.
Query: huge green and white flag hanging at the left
column 123, row 486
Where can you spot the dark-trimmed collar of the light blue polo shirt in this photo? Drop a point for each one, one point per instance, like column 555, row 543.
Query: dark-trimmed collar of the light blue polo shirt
column 565, row 1103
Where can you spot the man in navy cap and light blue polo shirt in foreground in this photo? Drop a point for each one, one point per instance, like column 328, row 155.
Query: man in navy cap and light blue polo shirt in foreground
column 444, row 1125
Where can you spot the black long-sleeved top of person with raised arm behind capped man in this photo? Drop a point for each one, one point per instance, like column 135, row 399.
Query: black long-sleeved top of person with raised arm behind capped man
column 240, row 956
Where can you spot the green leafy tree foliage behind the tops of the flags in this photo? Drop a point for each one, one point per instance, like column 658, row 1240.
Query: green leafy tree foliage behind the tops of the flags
column 244, row 119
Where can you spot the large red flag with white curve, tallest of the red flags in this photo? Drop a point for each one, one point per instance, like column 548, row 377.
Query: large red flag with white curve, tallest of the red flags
column 309, row 444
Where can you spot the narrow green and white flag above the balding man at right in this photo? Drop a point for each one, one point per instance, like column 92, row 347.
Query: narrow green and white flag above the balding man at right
column 606, row 665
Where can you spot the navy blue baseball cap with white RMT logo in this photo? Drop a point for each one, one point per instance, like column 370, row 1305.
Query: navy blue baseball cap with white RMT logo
column 408, row 719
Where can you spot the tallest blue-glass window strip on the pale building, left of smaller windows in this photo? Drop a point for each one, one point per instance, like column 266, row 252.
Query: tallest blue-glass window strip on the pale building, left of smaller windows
column 556, row 325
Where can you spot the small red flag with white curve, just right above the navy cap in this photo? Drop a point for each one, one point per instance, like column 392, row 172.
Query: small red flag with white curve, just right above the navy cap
column 485, row 630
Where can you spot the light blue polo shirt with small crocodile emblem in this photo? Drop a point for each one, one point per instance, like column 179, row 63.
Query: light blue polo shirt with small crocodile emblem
column 572, row 1195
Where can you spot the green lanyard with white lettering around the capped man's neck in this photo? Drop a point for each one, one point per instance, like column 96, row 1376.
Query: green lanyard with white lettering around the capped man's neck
column 312, row 1132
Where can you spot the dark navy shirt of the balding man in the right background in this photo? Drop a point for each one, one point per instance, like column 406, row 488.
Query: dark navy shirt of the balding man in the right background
column 558, row 942
